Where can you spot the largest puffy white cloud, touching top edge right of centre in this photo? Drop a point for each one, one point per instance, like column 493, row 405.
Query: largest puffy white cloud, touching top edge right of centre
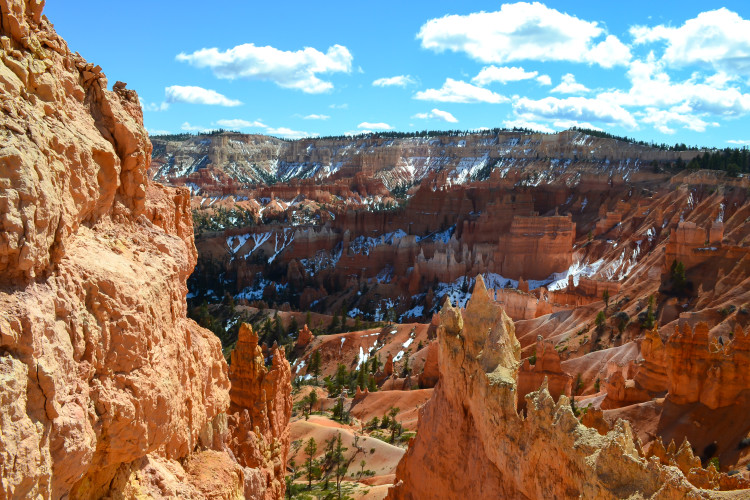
column 523, row 31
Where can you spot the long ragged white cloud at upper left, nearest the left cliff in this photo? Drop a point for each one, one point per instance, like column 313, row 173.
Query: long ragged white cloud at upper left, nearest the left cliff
column 287, row 69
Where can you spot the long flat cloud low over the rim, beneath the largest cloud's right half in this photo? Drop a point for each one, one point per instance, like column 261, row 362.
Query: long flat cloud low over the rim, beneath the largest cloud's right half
column 574, row 108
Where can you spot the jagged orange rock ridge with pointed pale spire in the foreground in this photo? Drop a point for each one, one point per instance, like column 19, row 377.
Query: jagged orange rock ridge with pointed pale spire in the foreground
column 489, row 451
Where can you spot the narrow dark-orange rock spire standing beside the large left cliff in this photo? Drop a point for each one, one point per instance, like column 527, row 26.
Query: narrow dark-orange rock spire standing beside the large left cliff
column 261, row 406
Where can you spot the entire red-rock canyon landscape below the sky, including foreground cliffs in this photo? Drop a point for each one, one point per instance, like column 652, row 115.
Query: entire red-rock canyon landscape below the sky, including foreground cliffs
column 184, row 316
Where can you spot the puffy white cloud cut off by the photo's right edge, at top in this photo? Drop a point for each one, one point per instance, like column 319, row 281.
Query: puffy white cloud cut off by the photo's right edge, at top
column 718, row 38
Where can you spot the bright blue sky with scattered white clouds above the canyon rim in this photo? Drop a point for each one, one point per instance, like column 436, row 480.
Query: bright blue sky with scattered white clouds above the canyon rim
column 662, row 71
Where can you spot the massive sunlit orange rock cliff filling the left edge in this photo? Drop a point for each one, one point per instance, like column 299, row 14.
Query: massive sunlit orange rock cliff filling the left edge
column 107, row 389
